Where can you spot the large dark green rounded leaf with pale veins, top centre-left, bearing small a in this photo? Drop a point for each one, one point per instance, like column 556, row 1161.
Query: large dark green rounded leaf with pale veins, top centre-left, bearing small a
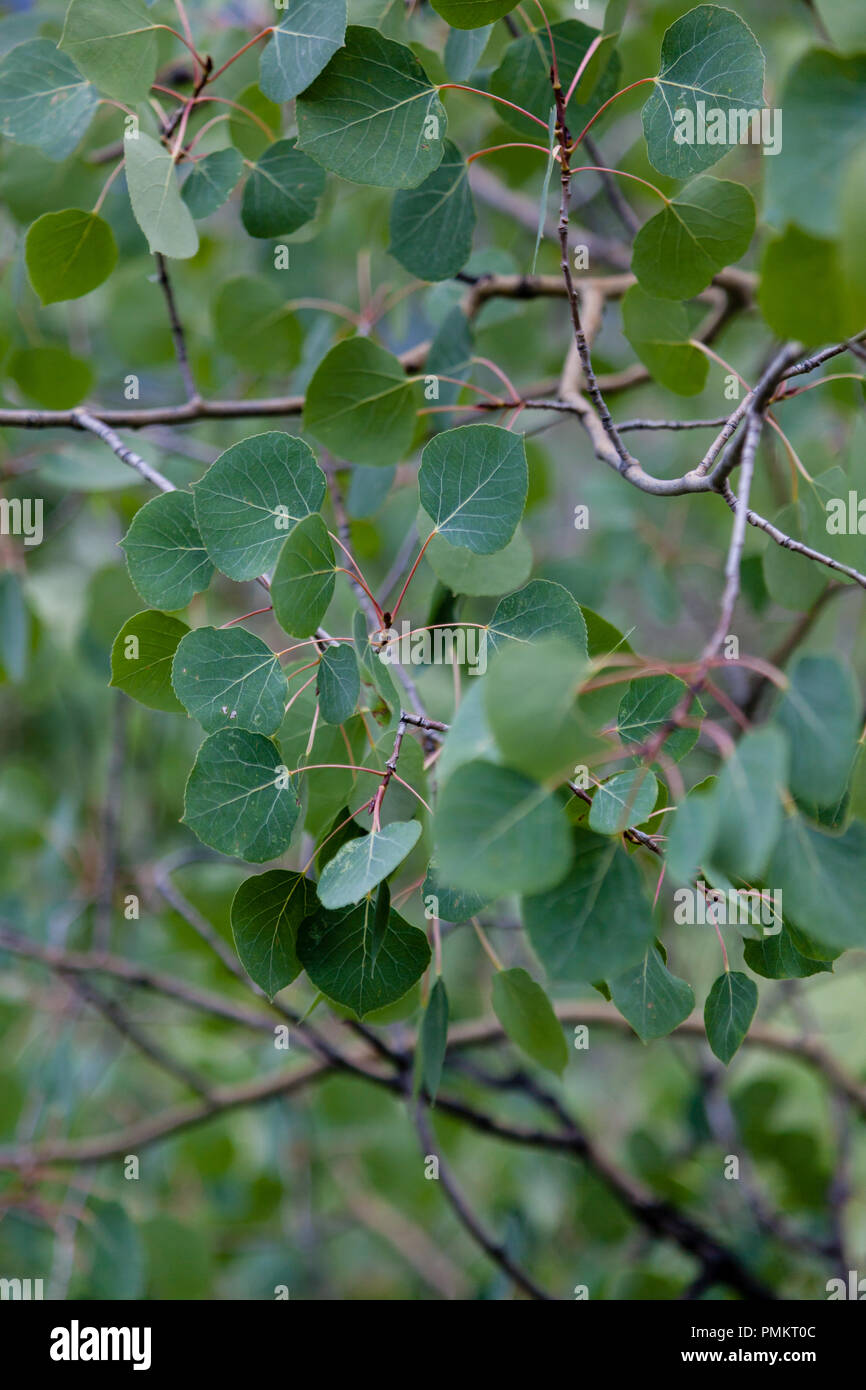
column 373, row 116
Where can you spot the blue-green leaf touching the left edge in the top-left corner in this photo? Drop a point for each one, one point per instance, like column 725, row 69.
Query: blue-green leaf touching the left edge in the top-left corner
column 44, row 99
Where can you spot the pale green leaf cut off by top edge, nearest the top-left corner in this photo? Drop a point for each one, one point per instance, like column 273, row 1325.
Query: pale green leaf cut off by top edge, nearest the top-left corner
column 115, row 44
